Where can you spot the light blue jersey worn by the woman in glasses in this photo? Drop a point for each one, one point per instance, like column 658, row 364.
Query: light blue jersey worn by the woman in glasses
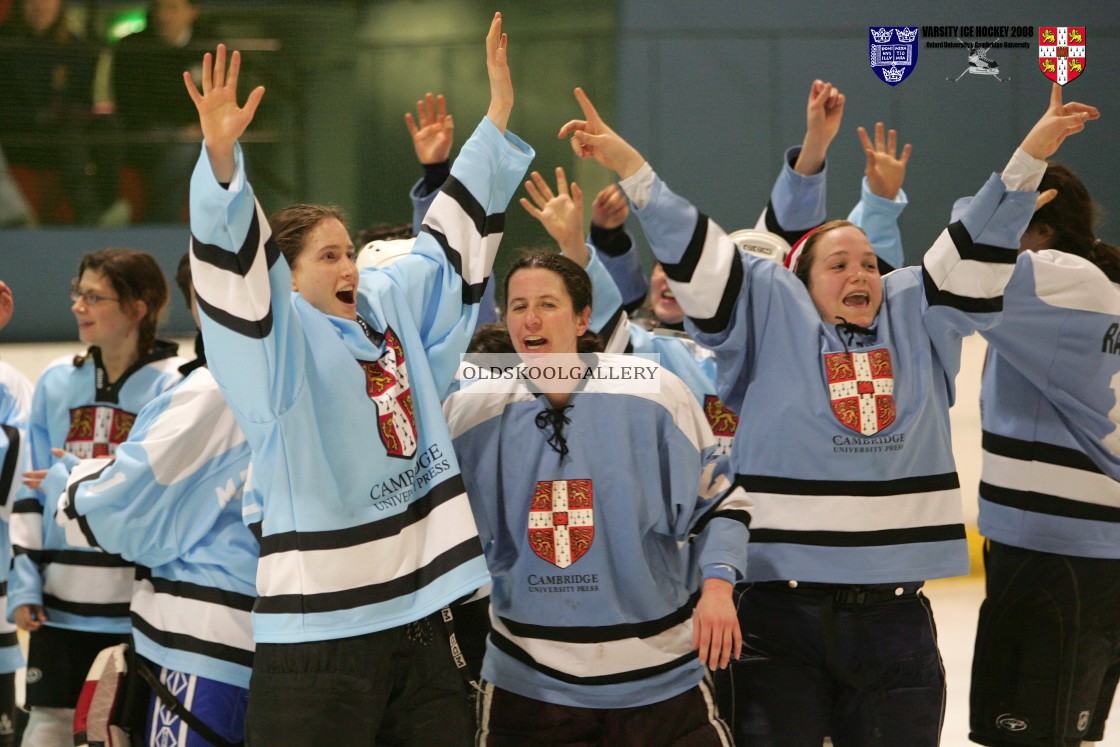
column 74, row 410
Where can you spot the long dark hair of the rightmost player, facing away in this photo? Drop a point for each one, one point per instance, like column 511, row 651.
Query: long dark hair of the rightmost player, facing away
column 1072, row 217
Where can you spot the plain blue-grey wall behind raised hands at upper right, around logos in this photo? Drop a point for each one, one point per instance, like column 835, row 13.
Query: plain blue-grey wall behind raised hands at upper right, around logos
column 713, row 92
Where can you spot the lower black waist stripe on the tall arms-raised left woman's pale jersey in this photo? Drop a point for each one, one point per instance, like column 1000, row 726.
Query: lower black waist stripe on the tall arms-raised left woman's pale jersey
column 329, row 602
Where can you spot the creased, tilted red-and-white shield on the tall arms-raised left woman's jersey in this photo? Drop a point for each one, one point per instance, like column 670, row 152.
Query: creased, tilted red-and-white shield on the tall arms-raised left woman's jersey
column 387, row 382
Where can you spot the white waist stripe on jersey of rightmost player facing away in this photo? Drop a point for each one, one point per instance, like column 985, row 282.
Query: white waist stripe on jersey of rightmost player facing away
column 1068, row 483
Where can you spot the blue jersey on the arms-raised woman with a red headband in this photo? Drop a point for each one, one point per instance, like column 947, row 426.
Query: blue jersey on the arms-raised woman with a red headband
column 844, row 443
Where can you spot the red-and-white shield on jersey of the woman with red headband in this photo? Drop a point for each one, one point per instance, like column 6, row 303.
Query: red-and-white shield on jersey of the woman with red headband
column 862, row 388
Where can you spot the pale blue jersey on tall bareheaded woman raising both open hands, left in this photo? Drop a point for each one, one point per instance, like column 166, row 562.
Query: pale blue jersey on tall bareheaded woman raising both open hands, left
column 363, row 521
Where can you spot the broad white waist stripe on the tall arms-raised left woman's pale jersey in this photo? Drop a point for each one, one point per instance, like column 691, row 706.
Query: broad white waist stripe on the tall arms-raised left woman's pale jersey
column 342, row 569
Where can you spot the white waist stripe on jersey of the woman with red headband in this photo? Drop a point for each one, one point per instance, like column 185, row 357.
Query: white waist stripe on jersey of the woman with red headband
column 855, row 513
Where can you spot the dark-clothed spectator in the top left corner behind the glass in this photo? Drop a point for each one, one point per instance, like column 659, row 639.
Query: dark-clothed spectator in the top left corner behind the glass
column 46, row 86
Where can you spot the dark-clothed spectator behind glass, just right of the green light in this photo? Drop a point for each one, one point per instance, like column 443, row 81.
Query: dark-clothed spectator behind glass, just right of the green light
column 147, row 79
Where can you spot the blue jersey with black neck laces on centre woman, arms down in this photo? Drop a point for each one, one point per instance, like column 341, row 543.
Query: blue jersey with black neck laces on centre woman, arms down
column 593, row 592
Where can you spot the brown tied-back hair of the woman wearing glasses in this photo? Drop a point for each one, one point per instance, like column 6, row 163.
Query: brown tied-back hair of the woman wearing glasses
column 134, row 276
